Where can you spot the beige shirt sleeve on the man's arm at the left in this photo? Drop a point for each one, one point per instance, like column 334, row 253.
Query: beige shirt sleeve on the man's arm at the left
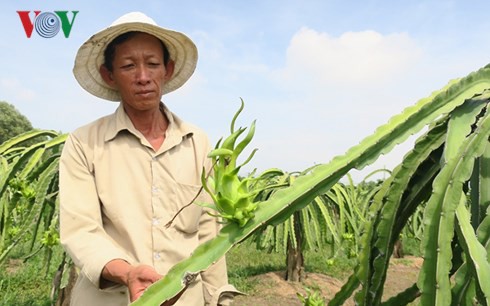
column 81, row 228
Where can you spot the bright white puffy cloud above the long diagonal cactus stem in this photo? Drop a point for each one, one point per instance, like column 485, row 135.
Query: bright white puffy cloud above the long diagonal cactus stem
column 354, row 57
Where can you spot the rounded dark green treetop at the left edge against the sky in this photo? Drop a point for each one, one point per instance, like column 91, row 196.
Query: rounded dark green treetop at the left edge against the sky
column 12, row 122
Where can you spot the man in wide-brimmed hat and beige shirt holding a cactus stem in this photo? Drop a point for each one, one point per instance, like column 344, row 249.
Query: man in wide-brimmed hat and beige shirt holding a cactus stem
column 124, row 176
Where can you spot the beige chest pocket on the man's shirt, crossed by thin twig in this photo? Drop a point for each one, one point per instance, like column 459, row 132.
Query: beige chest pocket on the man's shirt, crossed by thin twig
column 188, row 218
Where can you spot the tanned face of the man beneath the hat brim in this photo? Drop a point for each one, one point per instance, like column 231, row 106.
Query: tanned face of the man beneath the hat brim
column 139, row 72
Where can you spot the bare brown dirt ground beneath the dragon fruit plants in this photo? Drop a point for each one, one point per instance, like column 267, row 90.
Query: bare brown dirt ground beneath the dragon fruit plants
column 402, row 273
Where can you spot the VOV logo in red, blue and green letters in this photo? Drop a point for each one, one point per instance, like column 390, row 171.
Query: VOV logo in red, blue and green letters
column 47, row 24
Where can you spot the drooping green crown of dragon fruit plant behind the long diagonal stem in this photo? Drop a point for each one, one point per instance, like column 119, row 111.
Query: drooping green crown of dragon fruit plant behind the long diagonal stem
column 335, row 218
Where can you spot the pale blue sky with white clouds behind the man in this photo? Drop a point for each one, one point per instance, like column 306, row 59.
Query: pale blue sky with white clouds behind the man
column 318, row 76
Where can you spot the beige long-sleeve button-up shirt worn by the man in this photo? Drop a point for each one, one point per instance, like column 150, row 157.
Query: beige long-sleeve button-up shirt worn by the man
column 117, row 194
